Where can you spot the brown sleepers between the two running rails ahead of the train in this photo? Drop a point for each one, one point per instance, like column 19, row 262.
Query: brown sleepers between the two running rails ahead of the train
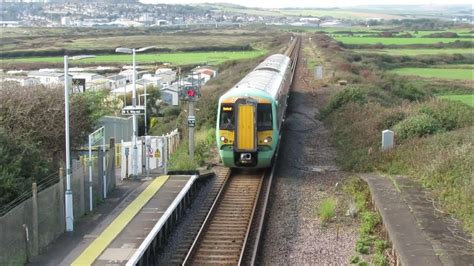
column 223, row 237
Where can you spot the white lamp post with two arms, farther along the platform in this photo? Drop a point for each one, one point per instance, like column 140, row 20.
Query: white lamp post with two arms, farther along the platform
column 133, row 51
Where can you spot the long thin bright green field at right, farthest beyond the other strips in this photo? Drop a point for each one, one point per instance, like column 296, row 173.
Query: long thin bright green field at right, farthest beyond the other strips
column 397, row 41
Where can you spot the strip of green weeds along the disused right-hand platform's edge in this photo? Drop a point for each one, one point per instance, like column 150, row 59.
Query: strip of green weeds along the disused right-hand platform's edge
column 370, row 241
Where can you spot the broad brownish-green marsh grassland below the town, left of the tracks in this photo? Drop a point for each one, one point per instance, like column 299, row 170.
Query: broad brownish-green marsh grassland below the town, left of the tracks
column 45, row 39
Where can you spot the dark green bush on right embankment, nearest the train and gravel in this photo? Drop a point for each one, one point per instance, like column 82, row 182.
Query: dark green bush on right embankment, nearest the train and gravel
column 348, row 95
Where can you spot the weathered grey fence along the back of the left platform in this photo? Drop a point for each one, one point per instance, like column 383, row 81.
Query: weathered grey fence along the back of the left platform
column 37, row 217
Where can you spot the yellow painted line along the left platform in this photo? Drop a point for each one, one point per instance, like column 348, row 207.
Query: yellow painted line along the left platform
column 90, row 254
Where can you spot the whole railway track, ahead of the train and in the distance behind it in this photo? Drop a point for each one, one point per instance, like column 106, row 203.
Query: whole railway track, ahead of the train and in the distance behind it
column 230, row 232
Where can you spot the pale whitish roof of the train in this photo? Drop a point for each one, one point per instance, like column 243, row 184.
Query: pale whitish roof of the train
column 266, row 77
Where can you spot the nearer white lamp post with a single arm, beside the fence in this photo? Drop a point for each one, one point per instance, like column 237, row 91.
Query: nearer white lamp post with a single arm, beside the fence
column 68, row 194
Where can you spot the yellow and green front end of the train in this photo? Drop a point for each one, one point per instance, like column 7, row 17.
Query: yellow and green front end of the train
column 246, row 131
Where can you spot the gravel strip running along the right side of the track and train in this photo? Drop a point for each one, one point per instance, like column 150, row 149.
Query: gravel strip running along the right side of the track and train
column 306, row 173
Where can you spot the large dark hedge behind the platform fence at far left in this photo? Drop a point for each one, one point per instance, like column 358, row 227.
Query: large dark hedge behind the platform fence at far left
column 32, row 132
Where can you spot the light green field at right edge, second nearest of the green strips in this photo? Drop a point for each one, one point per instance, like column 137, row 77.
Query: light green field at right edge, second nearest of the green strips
column 452, row 73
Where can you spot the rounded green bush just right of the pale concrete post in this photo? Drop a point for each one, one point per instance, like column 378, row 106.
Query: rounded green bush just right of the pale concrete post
column 417, row 126
